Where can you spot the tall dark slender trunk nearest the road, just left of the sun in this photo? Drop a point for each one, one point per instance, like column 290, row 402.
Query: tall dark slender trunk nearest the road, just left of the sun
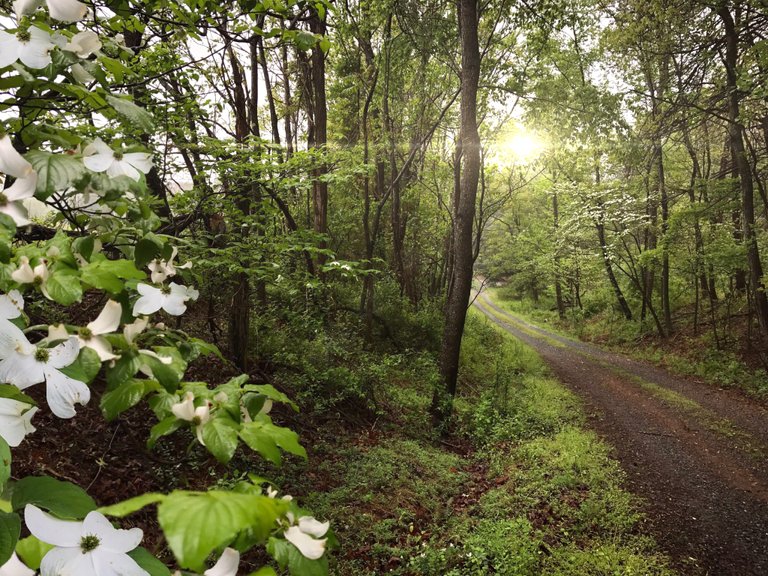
column 461, row 284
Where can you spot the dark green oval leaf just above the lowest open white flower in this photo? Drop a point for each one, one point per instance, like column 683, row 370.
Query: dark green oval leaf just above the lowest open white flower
column 63, row 499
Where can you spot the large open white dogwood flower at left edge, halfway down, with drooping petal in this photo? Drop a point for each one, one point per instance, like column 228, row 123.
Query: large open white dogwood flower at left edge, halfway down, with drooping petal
column 23, row 365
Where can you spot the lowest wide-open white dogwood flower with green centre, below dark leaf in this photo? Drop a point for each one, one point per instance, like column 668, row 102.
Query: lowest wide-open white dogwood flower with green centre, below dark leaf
column 92, row 547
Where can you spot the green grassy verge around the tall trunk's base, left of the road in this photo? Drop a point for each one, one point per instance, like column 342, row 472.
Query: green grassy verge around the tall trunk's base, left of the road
column 520, row 488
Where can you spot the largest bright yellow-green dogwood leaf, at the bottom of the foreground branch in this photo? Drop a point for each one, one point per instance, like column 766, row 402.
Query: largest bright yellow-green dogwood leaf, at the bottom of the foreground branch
column 197, row 523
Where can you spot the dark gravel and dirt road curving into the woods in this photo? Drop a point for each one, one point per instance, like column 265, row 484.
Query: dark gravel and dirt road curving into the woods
column 698, row 455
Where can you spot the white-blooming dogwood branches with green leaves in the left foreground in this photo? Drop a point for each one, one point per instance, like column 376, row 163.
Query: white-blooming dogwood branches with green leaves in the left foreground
column 69, row 153
